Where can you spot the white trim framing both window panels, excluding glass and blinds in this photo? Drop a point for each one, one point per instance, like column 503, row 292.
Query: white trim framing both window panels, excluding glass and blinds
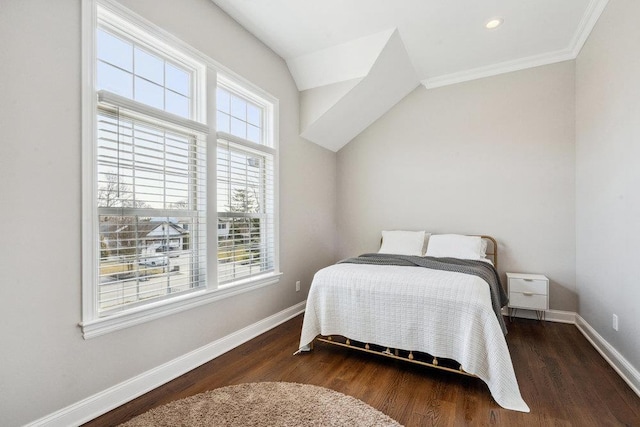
column 92, row 325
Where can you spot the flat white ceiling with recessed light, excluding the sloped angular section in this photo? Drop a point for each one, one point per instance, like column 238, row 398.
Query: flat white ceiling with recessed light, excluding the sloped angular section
column 446, row 40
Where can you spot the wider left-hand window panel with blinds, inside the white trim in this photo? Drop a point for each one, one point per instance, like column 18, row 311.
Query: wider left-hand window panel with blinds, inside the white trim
column 150, row 168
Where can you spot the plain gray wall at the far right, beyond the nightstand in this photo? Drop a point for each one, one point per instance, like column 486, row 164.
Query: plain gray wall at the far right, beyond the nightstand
column 608, row 177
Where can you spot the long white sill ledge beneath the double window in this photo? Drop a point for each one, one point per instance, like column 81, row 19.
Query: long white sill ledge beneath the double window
column 138, row 315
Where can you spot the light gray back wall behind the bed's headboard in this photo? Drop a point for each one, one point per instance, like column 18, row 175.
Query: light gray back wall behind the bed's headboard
column 493, row 156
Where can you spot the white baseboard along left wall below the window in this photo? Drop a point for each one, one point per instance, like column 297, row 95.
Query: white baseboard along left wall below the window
column 104, row 401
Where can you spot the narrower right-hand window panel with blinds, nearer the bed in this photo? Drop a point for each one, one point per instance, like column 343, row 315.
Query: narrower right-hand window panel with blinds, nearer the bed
column 245, row 185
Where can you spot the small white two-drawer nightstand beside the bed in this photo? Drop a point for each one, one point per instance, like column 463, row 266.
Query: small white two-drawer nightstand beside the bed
column 528, row 291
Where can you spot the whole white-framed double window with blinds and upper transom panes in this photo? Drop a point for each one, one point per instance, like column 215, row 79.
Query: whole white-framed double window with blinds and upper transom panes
column 149, row 146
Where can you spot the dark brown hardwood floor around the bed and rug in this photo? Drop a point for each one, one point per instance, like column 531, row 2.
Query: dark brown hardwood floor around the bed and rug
column 562, row 378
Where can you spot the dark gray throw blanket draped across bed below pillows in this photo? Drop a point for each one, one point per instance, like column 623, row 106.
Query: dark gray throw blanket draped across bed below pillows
column 482, row 269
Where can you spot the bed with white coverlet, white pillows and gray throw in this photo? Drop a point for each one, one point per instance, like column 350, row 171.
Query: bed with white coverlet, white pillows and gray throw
column 390, row 304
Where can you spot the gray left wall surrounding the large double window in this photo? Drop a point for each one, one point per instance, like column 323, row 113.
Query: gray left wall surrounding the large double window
column 45, row 364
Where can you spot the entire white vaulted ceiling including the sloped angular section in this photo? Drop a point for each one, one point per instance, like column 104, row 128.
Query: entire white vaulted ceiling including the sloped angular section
column 352, row 60
